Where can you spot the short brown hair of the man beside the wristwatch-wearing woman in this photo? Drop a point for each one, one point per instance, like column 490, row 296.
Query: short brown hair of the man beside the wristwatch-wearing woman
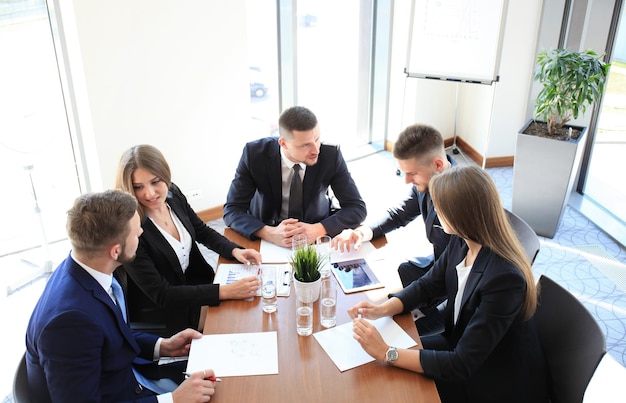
column 419, row 141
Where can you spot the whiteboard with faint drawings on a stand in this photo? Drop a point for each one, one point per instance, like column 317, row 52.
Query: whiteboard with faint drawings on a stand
column 456, row 40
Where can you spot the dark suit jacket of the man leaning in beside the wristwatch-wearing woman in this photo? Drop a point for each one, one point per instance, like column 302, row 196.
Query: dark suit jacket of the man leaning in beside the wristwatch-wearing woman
column 417, row 203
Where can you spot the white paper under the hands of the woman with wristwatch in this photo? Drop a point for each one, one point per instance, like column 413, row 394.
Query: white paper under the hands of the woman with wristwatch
column 347, row 353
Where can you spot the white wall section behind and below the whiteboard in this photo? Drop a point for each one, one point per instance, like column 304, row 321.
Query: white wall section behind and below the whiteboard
column 491, row 133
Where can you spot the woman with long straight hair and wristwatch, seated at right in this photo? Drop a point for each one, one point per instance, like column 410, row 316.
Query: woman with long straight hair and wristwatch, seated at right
column 489, row 351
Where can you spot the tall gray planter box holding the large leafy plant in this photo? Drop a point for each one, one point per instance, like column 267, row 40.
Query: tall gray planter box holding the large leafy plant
column 543, row 178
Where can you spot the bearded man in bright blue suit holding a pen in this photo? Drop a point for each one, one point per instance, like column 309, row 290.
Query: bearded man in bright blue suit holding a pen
column 78, row 346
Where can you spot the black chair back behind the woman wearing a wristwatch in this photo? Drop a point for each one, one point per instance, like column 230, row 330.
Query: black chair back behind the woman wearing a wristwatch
column 572, row 342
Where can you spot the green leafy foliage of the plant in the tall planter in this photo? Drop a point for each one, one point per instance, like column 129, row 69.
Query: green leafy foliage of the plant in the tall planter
column 571, row 81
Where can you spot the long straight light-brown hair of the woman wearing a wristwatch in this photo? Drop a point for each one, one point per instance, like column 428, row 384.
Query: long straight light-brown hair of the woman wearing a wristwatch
column 467, row 199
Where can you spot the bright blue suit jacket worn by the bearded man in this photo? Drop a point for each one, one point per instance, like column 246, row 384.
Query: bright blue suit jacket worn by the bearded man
column 78, row 347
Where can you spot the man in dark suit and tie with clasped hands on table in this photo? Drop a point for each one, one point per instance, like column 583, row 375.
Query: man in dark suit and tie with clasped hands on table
column 260, row 200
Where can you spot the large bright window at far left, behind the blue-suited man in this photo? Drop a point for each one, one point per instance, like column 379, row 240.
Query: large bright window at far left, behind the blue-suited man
column 36, row 156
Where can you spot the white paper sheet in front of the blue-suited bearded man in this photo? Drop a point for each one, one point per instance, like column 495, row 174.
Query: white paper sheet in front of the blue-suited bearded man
column 236, row 354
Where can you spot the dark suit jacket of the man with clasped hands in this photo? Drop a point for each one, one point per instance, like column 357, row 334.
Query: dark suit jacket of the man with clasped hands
column 255, row 196
